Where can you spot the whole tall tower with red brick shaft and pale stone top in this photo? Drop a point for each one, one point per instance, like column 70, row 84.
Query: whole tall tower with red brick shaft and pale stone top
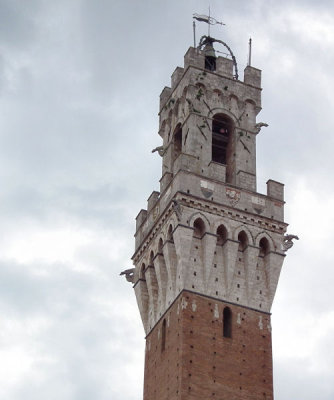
column 209, row 248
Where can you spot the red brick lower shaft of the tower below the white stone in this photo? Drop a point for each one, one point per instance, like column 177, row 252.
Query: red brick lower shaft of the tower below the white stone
column 199, row 363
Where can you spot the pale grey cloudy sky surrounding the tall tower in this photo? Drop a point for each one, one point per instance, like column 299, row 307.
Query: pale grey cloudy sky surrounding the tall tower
column 79, row 88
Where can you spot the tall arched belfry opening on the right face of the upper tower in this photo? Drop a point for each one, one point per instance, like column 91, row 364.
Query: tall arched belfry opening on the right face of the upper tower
column 221, row 132
